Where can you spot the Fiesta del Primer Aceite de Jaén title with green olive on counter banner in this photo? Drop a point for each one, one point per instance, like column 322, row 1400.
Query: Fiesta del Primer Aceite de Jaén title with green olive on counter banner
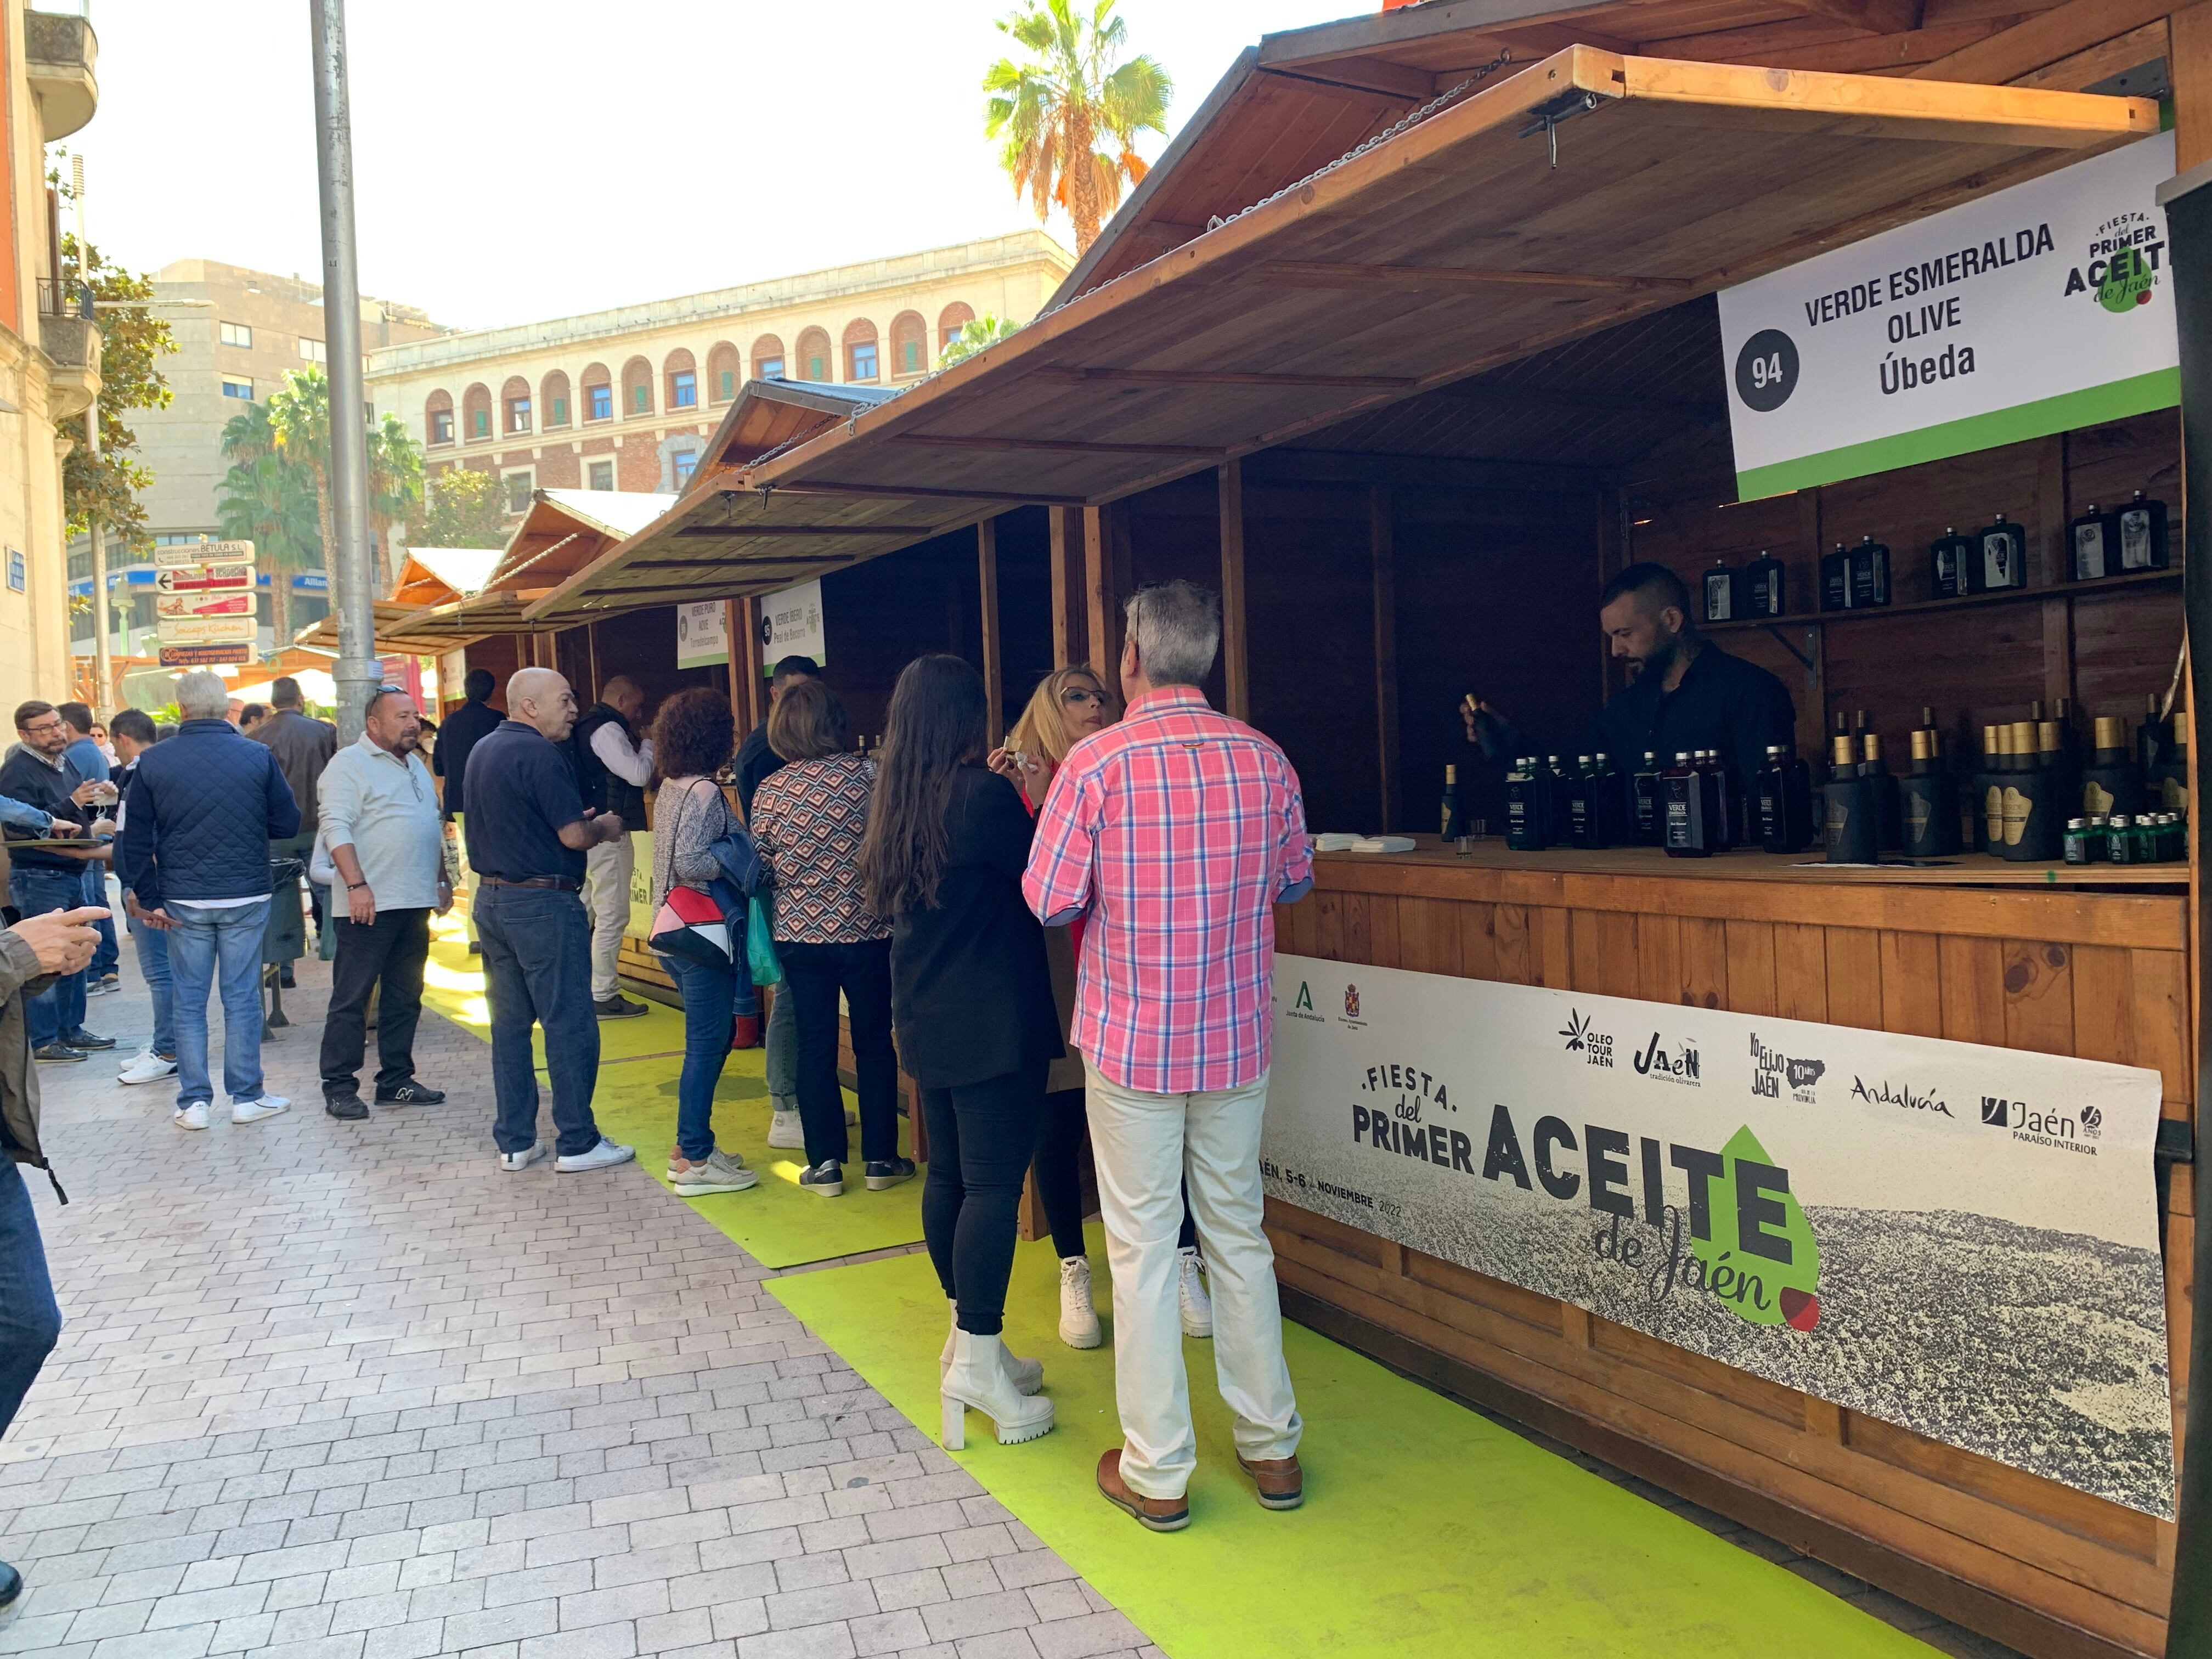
column 1742, row 1238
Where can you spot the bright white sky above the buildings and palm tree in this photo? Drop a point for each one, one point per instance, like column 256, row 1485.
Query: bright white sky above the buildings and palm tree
column 532, row 160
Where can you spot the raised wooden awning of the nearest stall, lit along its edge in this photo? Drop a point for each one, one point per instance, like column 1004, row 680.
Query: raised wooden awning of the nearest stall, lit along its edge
column 1448, row 247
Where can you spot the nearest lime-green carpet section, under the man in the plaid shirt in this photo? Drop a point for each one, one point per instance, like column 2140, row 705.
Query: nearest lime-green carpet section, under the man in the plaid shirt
column 1428, row 1530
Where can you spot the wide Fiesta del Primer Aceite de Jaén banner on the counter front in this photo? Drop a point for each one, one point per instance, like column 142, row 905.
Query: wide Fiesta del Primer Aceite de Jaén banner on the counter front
column 1950, row 1238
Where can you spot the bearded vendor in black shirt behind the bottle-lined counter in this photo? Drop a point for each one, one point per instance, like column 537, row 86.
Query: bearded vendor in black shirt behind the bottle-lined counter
column 1687, row 693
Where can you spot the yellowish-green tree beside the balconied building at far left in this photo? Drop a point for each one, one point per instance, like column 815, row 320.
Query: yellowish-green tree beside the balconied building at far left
column 132, row 348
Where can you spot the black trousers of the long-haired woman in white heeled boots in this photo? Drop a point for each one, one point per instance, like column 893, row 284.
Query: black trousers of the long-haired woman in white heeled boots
column 981, row 1140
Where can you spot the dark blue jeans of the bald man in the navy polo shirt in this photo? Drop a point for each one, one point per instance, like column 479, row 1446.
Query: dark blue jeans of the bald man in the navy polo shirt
column 539, row 972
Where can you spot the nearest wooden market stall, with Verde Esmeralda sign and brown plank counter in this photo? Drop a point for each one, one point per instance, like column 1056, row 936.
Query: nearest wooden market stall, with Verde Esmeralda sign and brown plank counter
column 1408, row 348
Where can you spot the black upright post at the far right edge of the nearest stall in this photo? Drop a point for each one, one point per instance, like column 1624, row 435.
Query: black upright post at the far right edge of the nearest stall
column 2189, row 225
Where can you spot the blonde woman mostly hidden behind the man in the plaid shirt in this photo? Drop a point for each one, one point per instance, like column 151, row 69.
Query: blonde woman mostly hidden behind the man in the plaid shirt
column 1070, row 707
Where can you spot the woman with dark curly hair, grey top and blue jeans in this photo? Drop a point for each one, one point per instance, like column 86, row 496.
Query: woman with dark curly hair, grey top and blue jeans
column 693, row 738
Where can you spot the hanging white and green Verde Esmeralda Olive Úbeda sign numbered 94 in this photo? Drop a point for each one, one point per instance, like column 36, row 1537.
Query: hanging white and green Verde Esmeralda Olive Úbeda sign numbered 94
column 2025, row 313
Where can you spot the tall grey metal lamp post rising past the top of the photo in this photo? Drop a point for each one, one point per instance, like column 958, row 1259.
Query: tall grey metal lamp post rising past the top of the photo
column 357, row 671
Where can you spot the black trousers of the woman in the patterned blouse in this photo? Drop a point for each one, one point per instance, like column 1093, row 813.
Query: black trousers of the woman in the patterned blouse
column 864, row 972
